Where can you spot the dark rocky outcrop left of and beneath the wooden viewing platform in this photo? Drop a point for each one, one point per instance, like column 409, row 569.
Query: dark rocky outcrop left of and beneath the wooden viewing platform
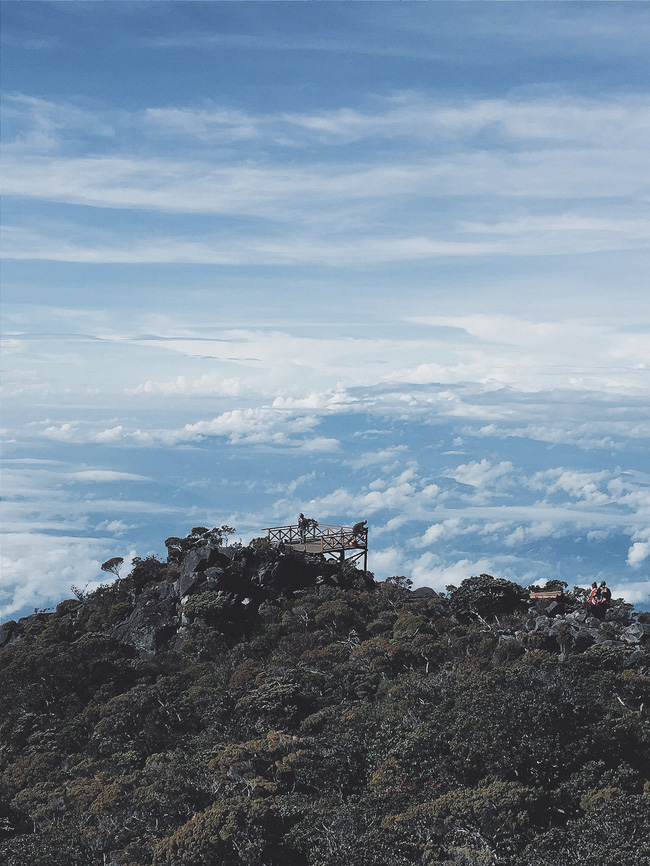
column 204, row 581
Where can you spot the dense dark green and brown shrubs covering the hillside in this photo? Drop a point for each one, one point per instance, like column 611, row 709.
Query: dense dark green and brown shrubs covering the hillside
column 322, row 726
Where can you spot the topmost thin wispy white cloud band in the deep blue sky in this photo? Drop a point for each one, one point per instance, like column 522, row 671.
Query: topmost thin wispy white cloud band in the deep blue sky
column 560, row 117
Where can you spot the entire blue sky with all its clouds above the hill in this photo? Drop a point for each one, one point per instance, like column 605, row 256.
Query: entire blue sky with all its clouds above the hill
column 362, row 260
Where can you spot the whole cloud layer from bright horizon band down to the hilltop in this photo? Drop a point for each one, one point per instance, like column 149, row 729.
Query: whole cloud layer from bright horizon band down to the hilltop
column 427, row 450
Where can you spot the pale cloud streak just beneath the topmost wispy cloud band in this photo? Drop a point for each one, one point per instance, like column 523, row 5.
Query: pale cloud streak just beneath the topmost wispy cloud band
column 193, row 186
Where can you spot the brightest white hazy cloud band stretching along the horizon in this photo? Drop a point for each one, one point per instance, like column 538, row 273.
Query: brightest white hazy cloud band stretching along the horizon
column 508, row 367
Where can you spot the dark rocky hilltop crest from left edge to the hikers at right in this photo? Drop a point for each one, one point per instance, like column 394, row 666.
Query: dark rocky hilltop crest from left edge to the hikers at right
column 224, row 587
